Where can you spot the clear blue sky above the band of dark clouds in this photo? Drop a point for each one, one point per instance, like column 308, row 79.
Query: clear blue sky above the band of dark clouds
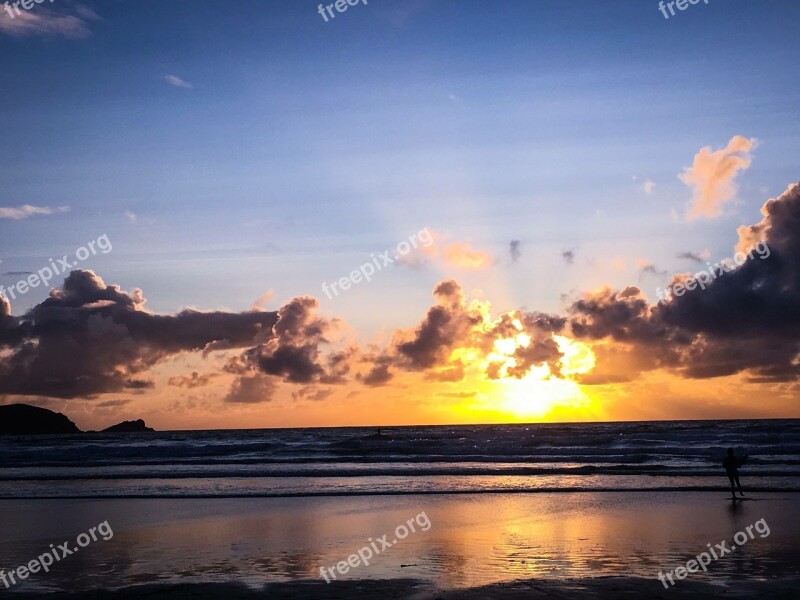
column 303, row 146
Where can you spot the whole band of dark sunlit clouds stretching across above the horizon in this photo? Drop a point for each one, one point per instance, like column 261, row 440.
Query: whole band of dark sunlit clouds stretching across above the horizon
column 89, row 338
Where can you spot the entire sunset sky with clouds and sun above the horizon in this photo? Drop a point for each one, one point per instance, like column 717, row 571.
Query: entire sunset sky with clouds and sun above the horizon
column 536, row 170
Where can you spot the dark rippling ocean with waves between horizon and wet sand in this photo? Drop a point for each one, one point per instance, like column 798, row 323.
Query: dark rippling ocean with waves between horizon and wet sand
column 651, row 456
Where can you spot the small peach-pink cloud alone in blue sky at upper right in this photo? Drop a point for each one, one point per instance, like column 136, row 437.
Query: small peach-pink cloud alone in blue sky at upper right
column 712, row 176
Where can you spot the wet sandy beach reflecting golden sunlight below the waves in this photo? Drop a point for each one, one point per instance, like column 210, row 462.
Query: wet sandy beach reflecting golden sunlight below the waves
column 476, row 545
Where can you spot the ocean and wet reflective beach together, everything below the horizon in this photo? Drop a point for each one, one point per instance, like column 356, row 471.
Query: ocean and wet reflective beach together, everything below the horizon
column 511, row 511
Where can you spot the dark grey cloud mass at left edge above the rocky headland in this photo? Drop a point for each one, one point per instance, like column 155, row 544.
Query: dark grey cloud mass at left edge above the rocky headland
column 89, row 338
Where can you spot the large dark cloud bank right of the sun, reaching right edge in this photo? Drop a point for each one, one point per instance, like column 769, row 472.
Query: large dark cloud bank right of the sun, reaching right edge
column 746, row 320
